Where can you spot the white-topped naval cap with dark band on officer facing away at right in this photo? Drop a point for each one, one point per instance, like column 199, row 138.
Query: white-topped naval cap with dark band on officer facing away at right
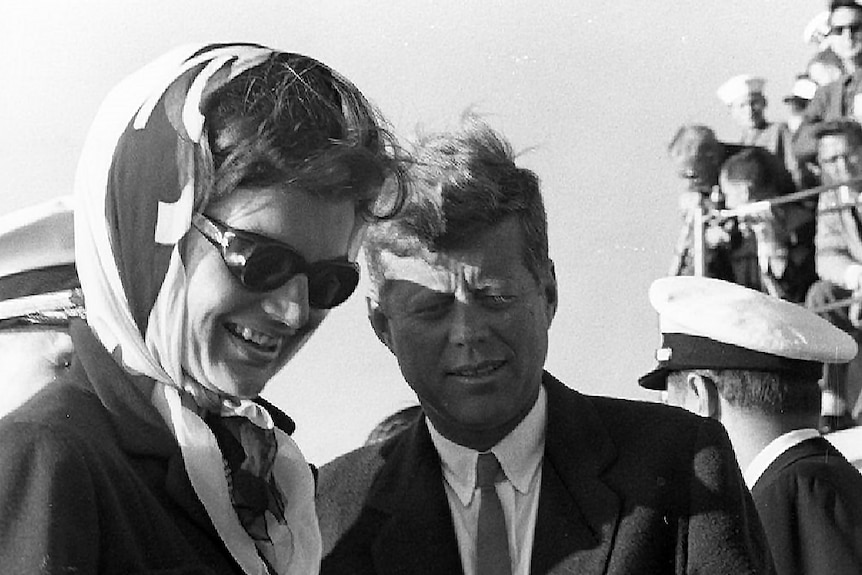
column 707, row 323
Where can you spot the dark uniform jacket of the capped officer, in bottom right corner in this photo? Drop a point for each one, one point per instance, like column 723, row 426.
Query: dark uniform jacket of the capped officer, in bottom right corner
column 810, row 503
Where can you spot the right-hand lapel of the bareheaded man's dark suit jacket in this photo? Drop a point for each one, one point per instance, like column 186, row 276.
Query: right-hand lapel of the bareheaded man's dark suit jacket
column 578, row 513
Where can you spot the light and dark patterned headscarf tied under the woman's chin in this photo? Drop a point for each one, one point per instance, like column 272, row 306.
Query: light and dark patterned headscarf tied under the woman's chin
column 145, row 157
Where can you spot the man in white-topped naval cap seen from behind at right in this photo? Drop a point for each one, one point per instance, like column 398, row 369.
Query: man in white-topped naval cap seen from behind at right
column 752, row 362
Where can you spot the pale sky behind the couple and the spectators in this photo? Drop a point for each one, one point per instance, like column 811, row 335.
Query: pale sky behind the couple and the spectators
column 591, row 90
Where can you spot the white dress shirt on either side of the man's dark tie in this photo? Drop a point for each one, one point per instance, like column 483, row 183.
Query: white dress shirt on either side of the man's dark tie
column 520, row 455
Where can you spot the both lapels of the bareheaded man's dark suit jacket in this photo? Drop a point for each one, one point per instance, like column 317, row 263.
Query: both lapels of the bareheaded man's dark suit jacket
column 577, row 517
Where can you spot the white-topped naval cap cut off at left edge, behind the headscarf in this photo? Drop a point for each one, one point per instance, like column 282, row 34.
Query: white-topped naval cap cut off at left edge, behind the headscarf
column 38, row 280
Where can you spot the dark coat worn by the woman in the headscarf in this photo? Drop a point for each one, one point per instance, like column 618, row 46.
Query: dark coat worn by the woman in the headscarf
column 92, row 481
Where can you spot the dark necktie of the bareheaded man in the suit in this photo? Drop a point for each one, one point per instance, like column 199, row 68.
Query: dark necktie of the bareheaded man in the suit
column 492, row 541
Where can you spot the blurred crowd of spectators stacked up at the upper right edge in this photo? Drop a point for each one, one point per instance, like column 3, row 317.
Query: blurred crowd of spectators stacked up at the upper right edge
column 775, row 209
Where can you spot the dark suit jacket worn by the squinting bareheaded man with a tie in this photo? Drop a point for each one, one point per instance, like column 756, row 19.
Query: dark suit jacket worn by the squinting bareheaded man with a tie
column 627, row 487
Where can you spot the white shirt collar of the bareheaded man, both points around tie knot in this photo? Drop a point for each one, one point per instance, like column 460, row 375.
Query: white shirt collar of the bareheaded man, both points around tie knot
column 519, row 453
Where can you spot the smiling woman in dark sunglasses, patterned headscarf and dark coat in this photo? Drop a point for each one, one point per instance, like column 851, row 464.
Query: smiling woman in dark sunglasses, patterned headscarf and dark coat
column 220, row 197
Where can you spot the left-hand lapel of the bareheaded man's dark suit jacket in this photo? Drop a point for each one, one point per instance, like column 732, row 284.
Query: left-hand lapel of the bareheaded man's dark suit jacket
column 417, row 535
